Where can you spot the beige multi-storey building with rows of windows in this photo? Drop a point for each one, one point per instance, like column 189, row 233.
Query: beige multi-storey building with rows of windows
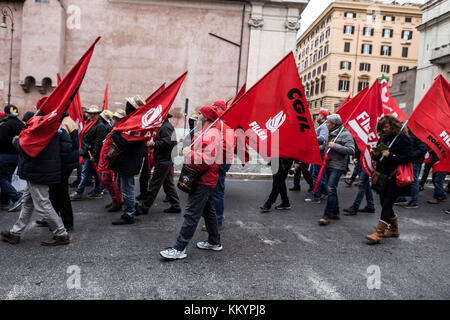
column 351, row 44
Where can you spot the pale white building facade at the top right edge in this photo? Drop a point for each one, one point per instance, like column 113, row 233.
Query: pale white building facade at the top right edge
column 434, row 55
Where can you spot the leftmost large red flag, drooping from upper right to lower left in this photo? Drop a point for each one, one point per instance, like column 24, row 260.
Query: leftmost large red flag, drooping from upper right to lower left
column 38, row 133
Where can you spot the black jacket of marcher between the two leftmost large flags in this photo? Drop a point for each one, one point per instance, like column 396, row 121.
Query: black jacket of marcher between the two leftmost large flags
column 93, row 139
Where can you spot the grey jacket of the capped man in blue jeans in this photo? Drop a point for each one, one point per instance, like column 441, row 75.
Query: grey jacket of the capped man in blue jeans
column 343, row 148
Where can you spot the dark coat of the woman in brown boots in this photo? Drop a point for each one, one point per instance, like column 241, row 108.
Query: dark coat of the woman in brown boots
column 401, row 152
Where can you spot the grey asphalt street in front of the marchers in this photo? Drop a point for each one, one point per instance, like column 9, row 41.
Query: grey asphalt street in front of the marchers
column 275, row 255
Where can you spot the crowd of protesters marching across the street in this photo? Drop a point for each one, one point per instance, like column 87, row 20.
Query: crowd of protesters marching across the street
column 107, row 161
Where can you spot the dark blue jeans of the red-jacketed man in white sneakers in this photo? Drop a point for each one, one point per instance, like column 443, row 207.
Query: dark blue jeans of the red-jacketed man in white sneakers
column 200, row 203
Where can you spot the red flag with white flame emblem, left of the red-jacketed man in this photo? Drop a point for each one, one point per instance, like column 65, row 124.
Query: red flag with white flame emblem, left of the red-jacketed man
column 144, row 122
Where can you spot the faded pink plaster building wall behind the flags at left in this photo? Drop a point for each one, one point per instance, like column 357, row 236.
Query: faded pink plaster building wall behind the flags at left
column 222, row 43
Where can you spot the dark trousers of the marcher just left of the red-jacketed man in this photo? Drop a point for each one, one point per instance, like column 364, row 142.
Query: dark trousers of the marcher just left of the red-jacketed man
column 162, row 176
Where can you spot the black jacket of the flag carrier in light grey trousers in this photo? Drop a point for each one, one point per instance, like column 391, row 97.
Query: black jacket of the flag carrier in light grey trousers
column 45, row 168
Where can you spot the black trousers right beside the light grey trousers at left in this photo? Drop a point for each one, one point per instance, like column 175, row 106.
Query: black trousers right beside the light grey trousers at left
column 60, row 199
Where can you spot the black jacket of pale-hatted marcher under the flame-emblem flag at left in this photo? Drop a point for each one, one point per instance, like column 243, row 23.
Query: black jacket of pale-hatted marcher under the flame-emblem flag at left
column 129, row 161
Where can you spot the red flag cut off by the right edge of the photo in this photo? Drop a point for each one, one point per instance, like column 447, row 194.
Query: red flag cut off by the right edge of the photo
column 430, row 120
